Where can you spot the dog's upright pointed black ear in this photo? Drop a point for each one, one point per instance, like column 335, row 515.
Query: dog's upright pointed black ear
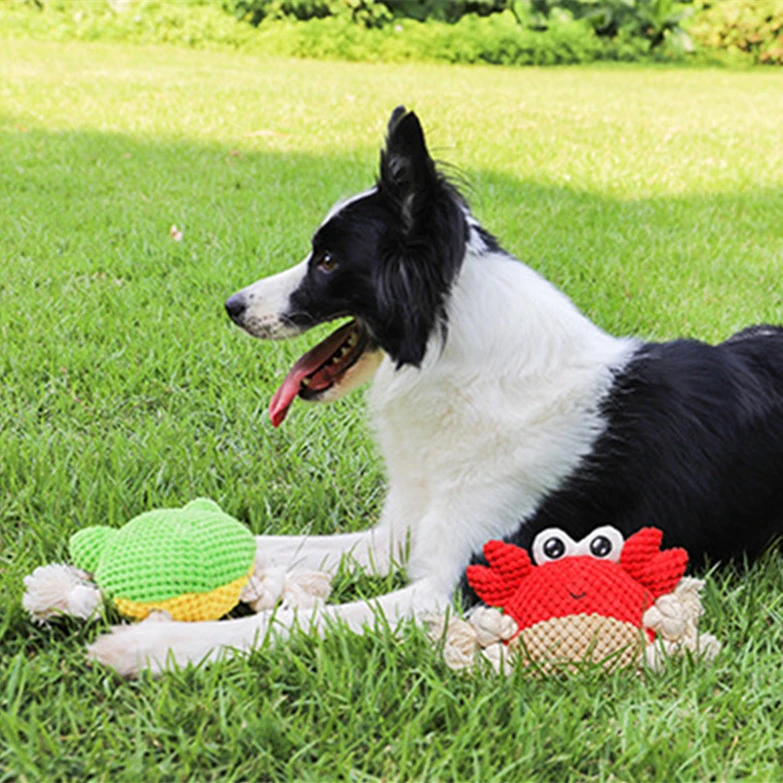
column 408, row 174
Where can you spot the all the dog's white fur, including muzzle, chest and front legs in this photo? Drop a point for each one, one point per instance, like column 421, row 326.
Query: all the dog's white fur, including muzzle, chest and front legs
column 495, row 418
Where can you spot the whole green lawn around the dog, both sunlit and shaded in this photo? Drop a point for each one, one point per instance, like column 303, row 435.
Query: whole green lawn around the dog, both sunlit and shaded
column 652, row 196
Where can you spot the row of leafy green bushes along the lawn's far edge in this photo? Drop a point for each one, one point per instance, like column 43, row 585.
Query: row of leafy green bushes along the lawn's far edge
column 511, row 32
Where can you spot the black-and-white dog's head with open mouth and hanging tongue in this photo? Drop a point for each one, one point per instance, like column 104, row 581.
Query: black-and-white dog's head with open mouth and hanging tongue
column 386, row 259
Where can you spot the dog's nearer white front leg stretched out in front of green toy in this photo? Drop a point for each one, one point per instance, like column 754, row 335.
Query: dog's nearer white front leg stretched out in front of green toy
column 157, row 645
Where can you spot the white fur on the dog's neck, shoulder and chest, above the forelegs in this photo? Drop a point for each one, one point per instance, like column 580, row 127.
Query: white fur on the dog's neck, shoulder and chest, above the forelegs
column 496, row 418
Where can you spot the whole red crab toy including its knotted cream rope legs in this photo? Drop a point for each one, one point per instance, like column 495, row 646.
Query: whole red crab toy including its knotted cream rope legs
column 601, row 600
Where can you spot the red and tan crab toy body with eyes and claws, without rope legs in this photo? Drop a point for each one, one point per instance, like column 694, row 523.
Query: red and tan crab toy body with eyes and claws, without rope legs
column 582, row 600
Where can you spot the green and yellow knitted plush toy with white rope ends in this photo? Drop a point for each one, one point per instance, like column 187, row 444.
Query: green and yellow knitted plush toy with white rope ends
column 189, row 564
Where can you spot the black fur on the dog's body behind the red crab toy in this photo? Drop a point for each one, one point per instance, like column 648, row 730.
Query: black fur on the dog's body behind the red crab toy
column 693, row 445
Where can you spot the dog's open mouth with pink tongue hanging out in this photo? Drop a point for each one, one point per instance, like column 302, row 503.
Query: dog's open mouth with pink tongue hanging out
column 321, row 369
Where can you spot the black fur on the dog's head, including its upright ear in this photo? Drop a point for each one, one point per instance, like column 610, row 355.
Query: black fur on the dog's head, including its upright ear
column 398, row 251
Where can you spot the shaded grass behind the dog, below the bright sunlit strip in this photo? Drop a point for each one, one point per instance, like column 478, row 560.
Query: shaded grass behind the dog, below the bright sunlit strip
column 125, row 386
